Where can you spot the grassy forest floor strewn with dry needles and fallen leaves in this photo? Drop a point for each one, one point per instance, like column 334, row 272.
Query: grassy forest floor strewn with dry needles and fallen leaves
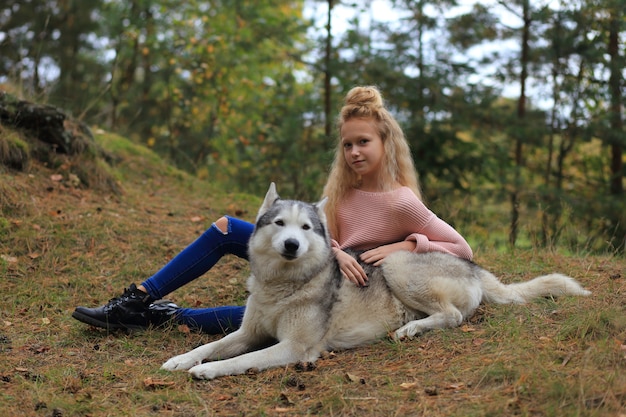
column 62, row 246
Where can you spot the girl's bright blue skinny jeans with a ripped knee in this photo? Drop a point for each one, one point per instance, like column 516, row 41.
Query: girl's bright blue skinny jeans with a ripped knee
column 194, row 261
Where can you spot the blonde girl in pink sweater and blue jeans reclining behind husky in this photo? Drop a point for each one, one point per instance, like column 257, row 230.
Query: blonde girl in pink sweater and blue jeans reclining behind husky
column 374, row 205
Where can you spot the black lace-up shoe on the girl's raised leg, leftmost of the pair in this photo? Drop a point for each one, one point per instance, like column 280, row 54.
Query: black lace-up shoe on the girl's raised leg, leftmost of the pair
column 128, row 311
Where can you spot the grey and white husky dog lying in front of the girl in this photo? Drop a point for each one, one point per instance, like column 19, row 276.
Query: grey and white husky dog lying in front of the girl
column 300, row 305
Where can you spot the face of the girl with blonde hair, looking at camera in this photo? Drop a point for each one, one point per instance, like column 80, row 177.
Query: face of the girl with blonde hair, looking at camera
column 362, row 147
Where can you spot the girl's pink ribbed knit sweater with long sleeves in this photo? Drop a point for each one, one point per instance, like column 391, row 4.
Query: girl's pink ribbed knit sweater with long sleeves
column 366, row 220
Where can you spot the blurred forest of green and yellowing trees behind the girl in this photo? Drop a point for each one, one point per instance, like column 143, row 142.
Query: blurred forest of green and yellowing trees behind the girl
column 514, row 109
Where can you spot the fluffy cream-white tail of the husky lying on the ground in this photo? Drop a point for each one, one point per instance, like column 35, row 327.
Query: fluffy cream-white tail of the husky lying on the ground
column 556, row 285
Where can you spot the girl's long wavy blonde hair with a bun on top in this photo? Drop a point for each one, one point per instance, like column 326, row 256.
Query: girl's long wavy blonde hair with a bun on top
column 366, row 102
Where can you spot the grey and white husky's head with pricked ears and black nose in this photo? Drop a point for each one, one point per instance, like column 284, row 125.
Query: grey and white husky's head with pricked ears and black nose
column 291, row 229
